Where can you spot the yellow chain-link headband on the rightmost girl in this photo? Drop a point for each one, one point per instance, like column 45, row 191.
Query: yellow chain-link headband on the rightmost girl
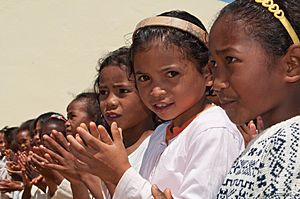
column 279, row 14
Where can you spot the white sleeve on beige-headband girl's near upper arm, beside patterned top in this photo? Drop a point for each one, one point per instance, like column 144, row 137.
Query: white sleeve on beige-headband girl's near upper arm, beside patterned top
column 210, row 157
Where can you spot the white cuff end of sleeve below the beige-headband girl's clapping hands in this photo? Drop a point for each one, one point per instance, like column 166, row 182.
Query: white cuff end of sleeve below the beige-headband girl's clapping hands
column 132, row 185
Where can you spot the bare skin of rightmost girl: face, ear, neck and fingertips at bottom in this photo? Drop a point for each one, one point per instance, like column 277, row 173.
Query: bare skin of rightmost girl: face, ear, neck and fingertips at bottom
column 233, row 81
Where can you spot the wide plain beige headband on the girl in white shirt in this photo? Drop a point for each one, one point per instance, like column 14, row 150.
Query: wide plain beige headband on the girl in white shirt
column 175, row 23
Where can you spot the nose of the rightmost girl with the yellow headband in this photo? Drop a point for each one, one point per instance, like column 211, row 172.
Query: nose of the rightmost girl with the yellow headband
column 220, row 79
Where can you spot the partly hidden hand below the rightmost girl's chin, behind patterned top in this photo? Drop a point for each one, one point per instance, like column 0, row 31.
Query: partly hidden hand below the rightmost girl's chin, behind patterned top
column 251, row 130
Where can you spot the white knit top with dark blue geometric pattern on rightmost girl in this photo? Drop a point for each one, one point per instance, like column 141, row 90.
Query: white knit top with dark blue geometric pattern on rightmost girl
column 269, row 167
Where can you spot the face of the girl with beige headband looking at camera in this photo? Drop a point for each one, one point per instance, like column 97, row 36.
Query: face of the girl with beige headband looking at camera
column 170, row 84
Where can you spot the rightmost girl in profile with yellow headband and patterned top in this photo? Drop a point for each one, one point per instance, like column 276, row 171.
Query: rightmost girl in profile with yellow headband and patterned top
column 258, row 41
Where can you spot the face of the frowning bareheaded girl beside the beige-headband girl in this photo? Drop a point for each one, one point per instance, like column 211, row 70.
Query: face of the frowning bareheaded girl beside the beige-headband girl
column 119, row 100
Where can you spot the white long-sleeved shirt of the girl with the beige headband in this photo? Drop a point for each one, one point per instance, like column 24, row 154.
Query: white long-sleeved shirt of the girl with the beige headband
column 193, row 165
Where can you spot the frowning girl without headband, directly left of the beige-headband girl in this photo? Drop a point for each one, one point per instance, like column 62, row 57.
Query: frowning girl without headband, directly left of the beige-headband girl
column 119, row 101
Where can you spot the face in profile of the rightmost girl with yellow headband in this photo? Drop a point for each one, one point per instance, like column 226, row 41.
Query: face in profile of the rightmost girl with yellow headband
column 246, row 81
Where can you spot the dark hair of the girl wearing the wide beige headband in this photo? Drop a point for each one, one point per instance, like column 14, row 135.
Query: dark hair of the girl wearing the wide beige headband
column 191, row 47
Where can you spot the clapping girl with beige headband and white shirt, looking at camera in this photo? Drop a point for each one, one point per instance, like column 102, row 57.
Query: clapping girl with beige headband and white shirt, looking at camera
column 169, row 57
